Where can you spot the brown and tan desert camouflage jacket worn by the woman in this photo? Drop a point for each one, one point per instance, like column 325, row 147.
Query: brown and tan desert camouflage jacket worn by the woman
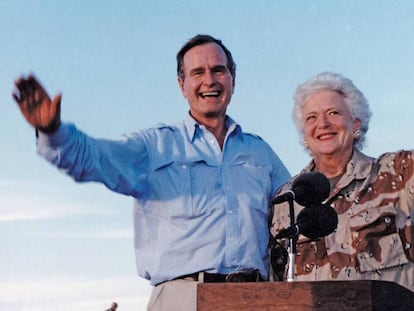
column 374, row 201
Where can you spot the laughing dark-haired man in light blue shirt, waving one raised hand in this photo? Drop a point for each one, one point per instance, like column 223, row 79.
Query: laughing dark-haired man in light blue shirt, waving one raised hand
column 200, row 187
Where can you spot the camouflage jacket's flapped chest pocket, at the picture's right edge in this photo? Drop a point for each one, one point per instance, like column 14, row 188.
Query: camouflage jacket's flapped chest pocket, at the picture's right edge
column 376, row 240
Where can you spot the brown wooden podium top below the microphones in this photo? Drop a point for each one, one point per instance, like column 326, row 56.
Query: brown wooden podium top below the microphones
column 304, row 296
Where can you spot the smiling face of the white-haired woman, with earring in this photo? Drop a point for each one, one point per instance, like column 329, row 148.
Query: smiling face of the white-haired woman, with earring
column 328, row 125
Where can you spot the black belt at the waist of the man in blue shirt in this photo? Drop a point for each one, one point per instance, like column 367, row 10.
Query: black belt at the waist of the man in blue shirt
column 239, row 276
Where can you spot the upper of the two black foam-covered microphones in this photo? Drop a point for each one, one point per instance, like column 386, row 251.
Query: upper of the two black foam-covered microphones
column 308, row 189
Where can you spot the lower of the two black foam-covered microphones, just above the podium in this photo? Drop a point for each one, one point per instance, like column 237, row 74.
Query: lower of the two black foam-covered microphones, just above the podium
column 312, row 222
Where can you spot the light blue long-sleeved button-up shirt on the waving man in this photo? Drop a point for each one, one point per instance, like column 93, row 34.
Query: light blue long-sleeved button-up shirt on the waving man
column 196, row 207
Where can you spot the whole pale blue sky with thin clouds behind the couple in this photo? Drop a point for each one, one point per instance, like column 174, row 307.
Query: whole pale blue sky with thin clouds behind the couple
column 68, row 246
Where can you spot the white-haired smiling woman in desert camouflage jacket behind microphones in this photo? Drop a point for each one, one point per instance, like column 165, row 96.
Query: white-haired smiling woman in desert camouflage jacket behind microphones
column 374, row 198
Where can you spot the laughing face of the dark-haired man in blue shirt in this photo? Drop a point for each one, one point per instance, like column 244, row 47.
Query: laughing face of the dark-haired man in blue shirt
column 207, row 82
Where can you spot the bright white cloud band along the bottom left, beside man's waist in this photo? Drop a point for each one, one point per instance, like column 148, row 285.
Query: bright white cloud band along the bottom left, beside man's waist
column 63, row 293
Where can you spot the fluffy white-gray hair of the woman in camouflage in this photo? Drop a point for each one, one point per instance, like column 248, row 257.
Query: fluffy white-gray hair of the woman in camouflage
column 354, row 99
